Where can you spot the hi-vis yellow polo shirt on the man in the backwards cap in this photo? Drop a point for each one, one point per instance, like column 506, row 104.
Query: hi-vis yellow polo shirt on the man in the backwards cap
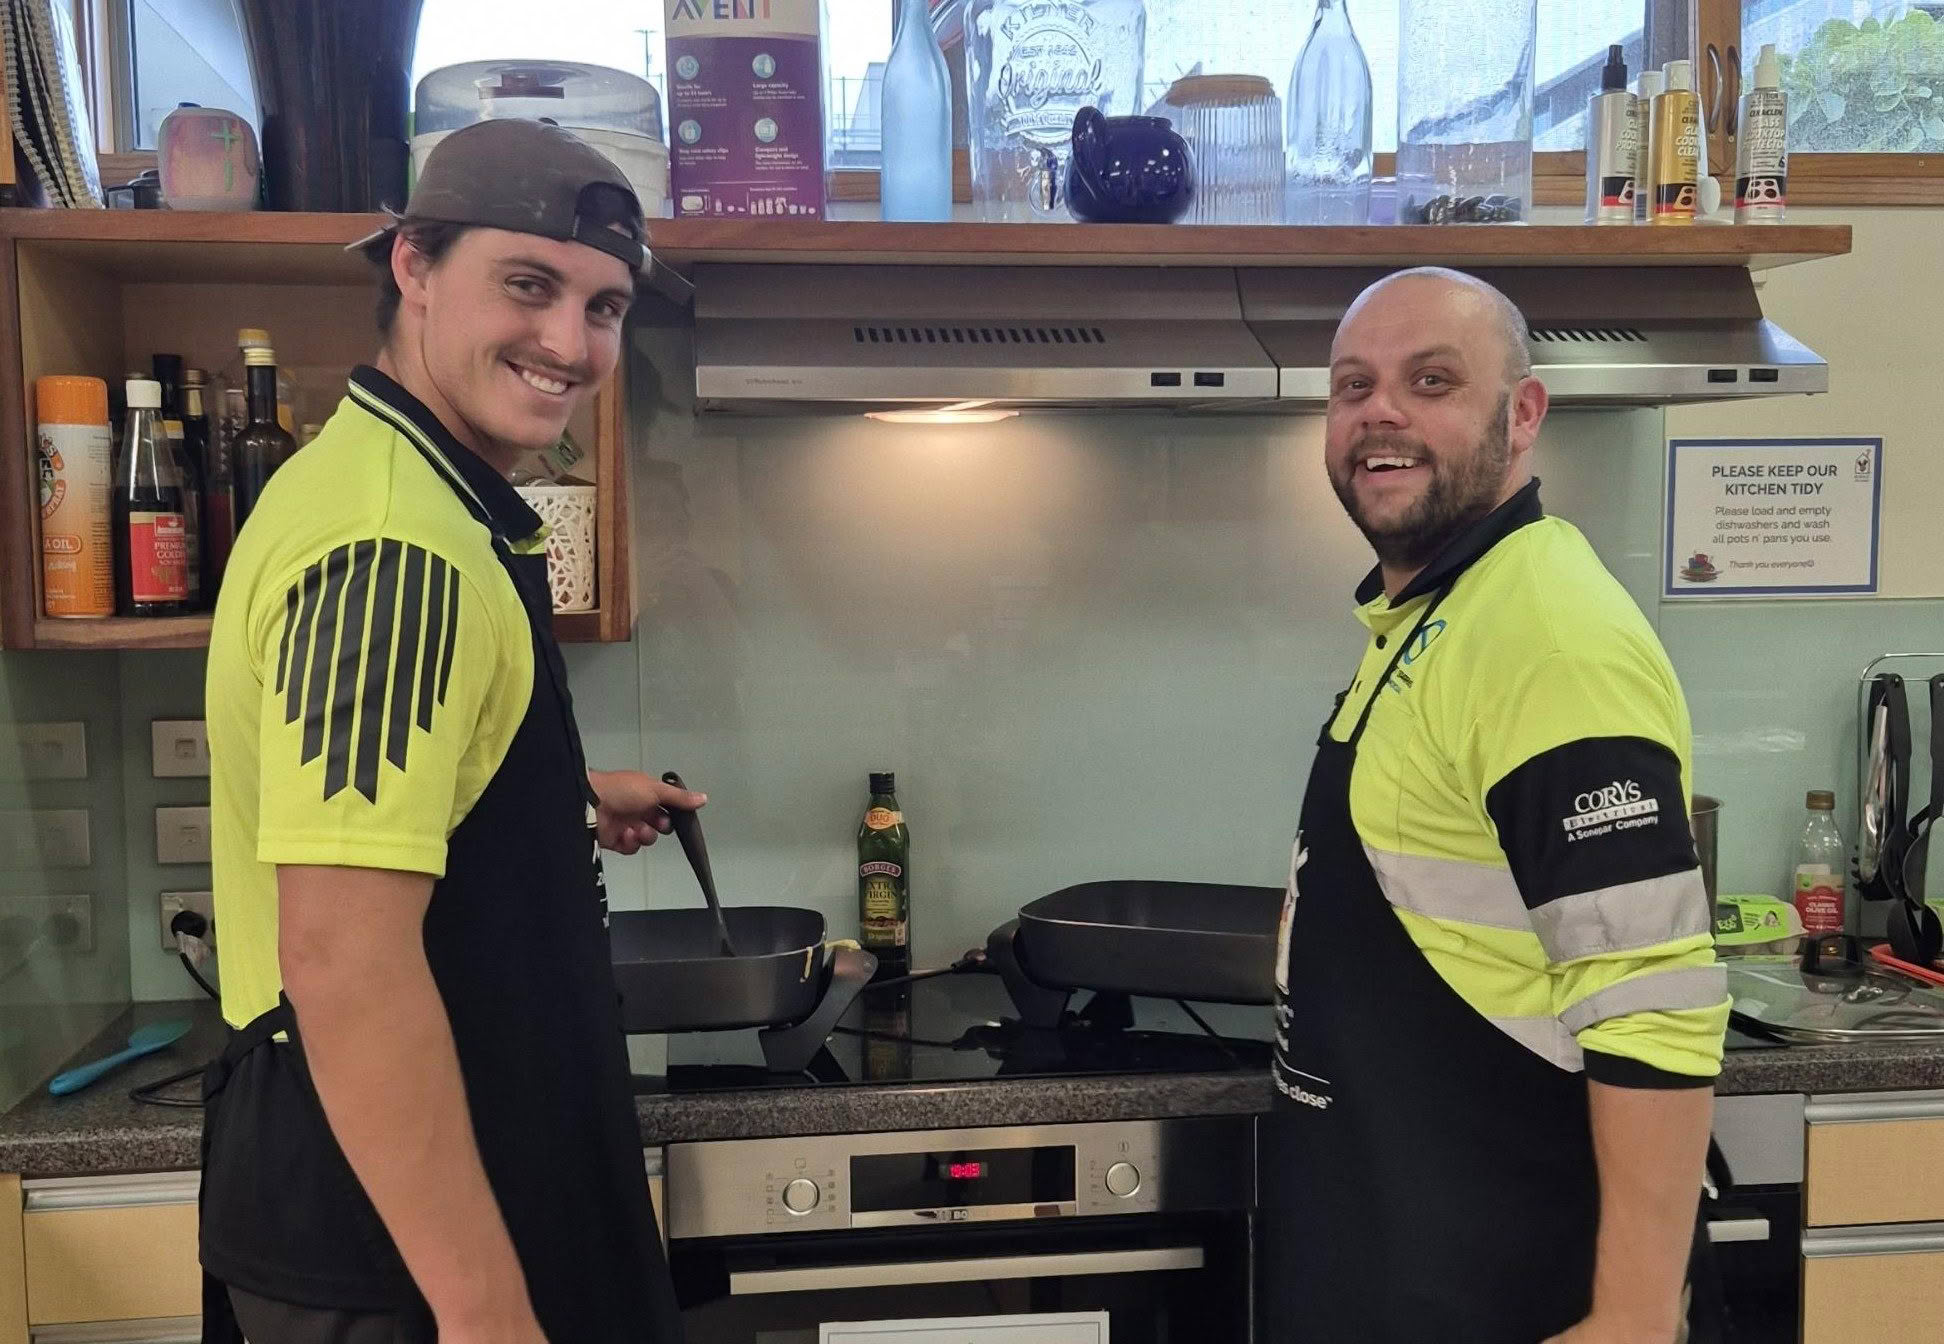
column 368, row 668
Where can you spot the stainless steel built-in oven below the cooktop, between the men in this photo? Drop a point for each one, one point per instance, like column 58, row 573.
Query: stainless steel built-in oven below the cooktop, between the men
column 1146, row 1220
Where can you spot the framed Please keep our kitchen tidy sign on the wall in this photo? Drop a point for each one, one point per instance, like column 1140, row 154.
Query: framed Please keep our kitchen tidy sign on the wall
column 1774, row 518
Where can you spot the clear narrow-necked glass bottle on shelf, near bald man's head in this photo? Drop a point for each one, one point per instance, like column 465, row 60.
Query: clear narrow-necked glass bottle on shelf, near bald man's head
column 1327, row 143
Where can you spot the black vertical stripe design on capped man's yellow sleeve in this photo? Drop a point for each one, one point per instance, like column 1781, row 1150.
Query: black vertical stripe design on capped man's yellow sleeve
column 368, row 647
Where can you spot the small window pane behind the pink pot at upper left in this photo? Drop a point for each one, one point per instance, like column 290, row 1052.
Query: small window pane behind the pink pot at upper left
column 182, row 52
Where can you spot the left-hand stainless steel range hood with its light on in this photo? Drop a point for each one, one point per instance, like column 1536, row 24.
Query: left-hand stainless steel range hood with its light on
column 885, row 337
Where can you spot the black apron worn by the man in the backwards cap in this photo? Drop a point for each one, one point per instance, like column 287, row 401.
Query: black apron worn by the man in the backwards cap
column 518, row 944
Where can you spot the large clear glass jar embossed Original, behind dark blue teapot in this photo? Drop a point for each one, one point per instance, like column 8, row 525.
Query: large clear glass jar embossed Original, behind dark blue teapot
column 1031, row 65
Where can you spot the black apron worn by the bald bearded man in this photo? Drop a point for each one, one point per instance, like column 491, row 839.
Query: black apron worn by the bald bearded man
column 1424, row 1176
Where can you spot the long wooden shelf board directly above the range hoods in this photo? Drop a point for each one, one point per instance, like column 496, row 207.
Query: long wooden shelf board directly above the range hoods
column 685, row 244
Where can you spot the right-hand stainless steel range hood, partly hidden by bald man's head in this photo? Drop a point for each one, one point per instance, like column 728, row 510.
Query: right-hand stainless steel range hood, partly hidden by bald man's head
column 1646, row 336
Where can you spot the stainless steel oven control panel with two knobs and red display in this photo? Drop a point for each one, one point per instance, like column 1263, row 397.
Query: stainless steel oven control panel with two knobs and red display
column 946, row 1178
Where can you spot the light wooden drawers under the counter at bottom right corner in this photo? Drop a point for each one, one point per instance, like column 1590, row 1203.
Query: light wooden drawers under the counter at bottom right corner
column 1873, row 1256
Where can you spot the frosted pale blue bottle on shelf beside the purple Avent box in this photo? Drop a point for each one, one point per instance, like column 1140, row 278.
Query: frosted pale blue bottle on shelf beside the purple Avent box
column 917, row 118
